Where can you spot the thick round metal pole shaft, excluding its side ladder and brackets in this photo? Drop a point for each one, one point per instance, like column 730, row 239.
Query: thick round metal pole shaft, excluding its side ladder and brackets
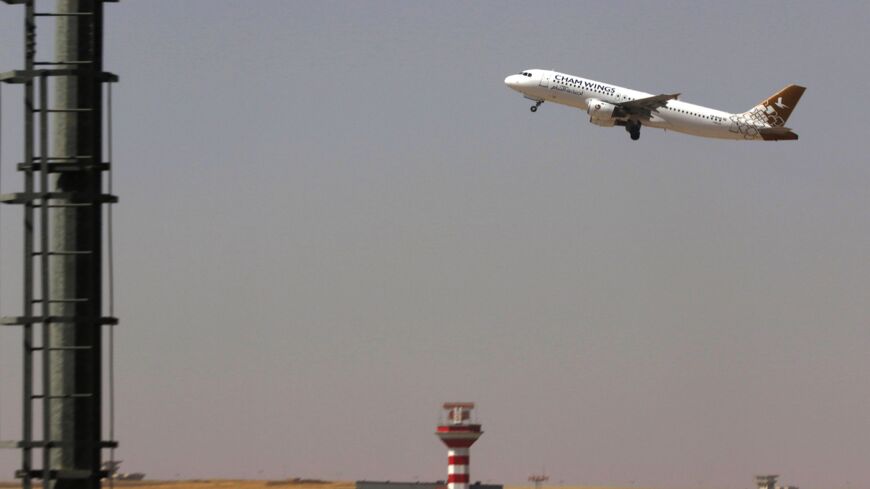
column 76, row 242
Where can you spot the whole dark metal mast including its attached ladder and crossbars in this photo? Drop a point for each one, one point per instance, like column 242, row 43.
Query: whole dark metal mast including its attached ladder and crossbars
column 63, row 198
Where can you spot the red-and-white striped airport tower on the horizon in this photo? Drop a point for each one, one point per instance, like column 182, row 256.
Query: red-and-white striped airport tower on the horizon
column 458, row 432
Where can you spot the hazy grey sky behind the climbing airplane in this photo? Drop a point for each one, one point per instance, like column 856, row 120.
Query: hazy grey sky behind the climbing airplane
column 334, row 216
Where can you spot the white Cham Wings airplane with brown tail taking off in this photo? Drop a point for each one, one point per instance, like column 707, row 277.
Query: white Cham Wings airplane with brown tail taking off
column 609, row 105
